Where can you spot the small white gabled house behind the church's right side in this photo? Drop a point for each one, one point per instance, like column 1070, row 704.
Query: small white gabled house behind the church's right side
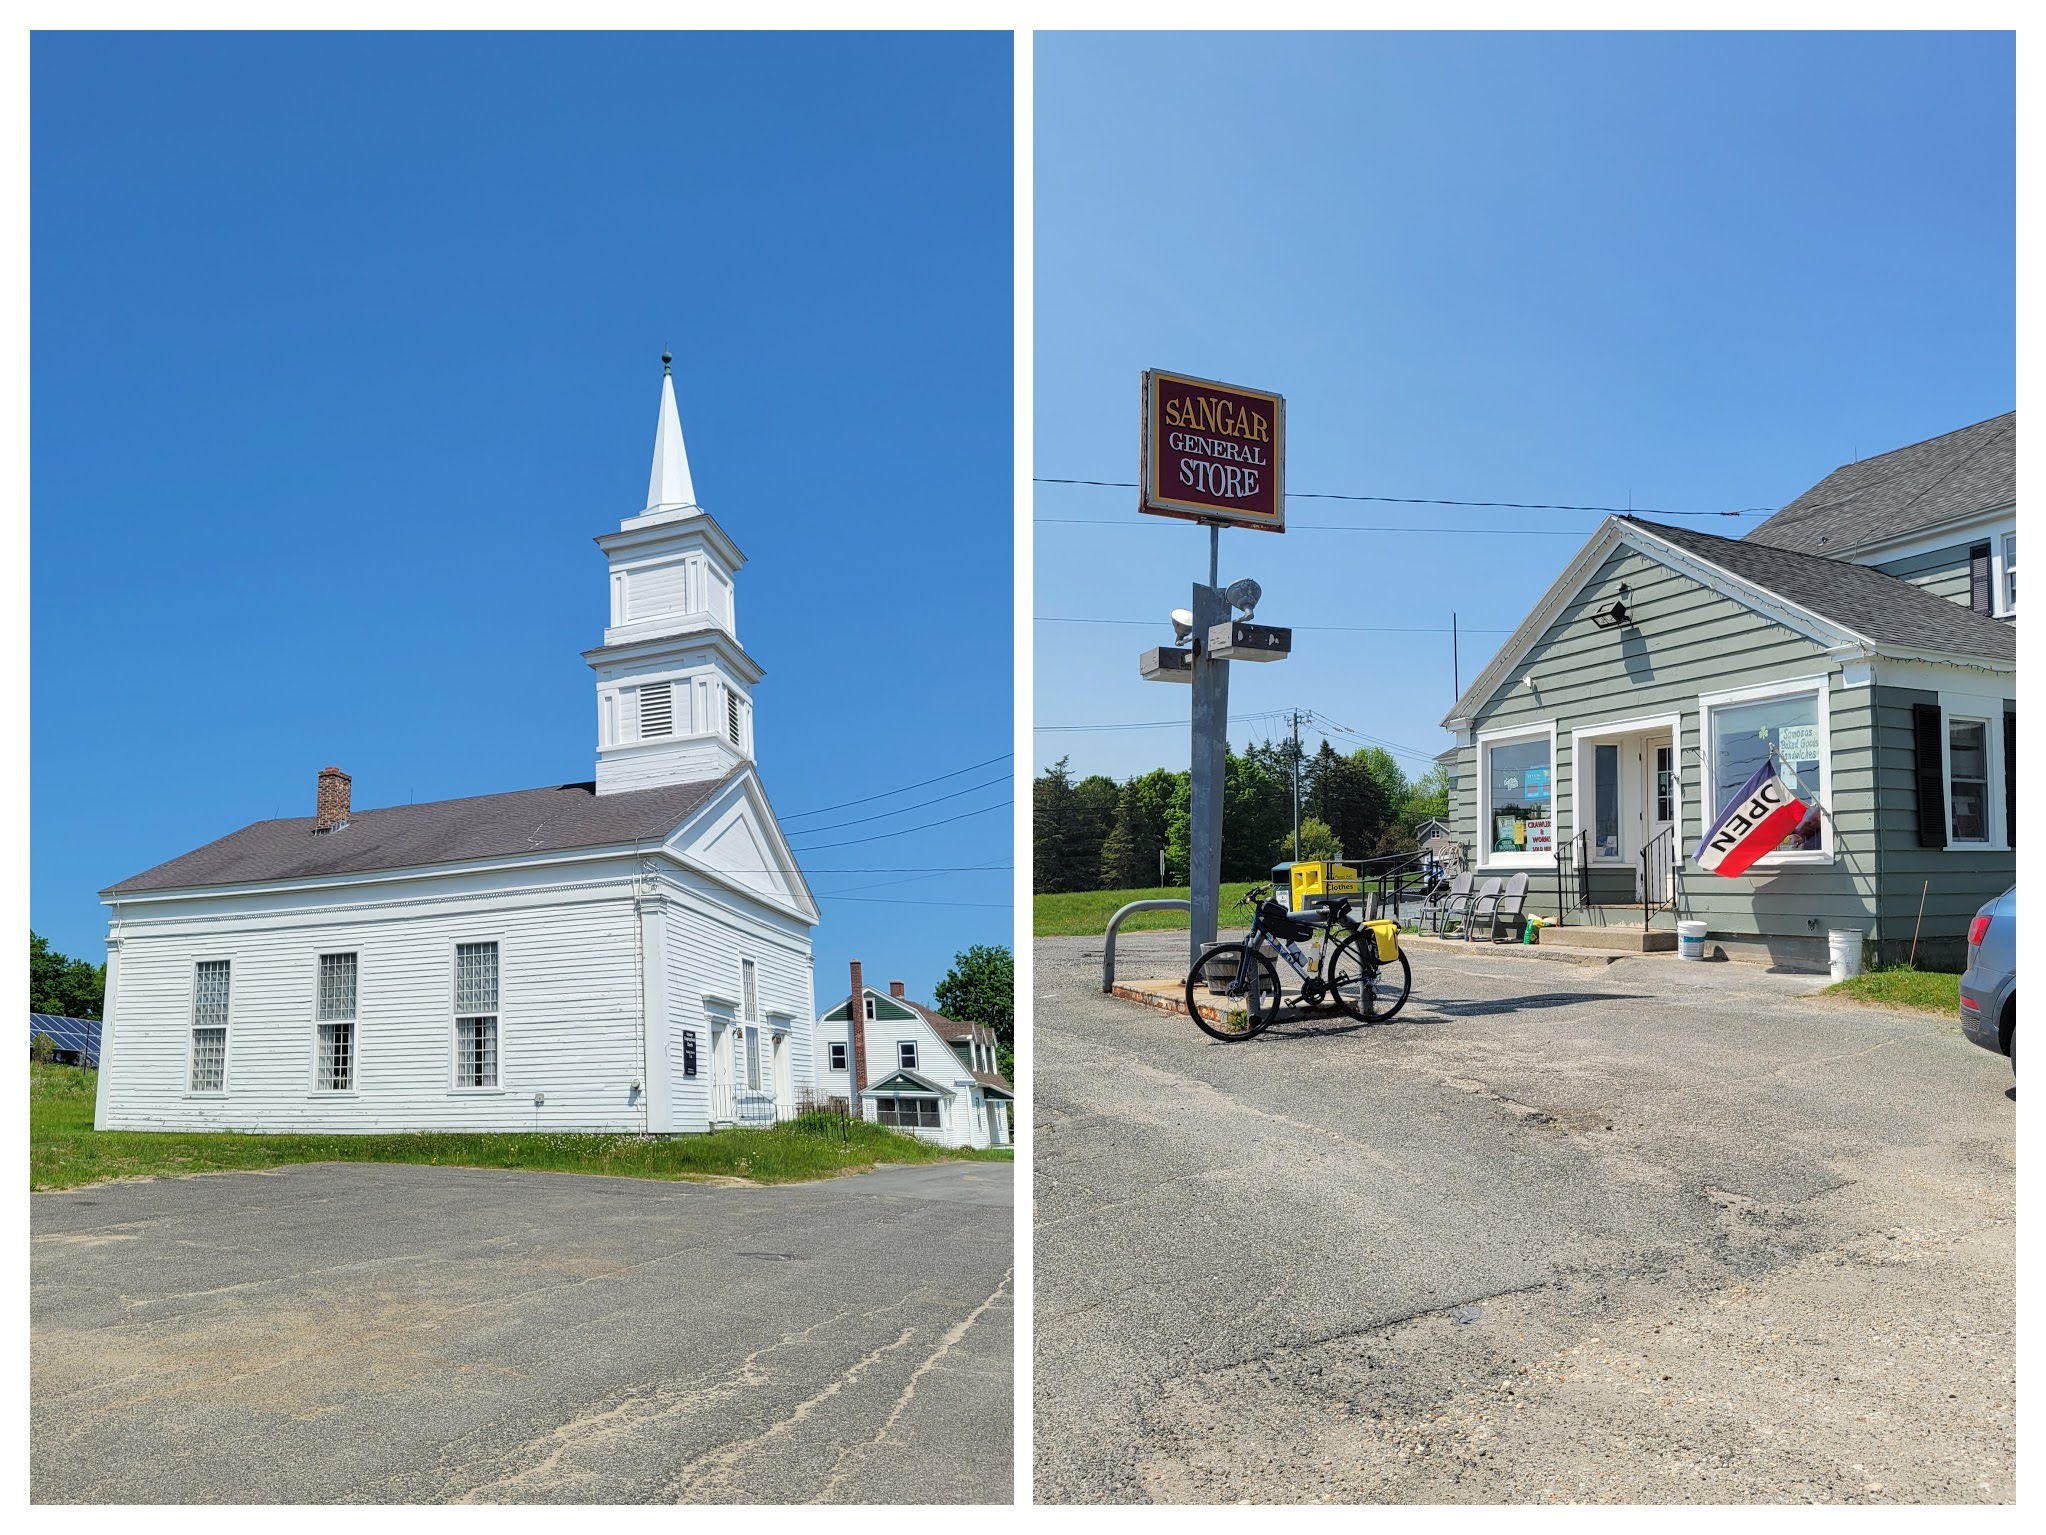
column 916, row 1067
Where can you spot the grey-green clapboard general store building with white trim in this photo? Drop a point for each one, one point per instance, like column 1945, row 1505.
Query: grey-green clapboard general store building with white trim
column 1865, row 633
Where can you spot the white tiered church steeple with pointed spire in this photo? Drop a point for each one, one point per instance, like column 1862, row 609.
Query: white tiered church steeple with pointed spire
column 674, row 683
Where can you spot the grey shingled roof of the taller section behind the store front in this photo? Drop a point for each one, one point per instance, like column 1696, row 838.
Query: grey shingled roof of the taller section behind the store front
column 1894, row 494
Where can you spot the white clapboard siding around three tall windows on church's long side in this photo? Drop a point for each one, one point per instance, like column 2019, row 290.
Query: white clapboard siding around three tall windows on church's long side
column 568, row 1016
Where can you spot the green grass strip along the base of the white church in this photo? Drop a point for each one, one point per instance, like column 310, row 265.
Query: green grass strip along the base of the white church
column 66, row 1151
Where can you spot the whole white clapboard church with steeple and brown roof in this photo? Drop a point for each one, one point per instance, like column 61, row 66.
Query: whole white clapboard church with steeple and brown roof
column 629, row 955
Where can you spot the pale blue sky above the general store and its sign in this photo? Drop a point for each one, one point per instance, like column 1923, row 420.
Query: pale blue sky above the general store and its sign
column 1662, row 271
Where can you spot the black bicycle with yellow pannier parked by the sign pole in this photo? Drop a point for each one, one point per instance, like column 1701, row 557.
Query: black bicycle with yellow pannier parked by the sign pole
column 1235, row 992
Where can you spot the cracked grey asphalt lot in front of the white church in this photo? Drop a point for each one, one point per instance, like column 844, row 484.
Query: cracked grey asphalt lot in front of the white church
column 455, row 1335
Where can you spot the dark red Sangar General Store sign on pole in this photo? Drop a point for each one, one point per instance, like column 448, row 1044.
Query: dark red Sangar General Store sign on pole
column 1212, row 453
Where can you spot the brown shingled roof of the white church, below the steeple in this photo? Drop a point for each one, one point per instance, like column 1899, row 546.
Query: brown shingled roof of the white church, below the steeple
column 439, row 832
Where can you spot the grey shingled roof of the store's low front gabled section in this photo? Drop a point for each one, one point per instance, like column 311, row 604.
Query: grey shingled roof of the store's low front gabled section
column 1859, row 599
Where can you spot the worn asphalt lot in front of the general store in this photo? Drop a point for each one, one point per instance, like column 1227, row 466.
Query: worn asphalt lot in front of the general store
column 1650, row 1231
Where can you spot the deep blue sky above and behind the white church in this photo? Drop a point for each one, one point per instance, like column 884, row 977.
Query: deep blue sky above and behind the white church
column 349, row 347
